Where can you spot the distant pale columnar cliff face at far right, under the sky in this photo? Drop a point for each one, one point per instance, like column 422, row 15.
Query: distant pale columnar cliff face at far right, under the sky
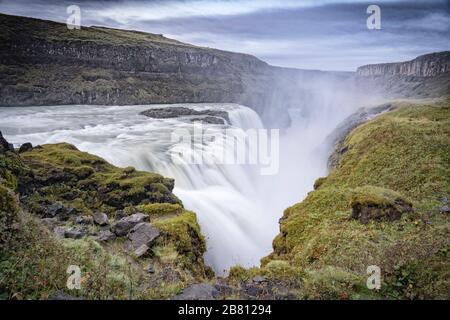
column 428, row 65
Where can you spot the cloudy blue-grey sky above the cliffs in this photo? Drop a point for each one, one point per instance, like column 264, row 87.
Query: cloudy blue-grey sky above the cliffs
column 306, row 34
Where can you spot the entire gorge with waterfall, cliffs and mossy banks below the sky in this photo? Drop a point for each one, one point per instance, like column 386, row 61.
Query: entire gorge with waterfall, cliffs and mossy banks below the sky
column 92, row 89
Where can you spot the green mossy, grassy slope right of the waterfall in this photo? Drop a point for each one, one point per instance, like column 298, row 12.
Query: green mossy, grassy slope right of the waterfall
column 401, row 155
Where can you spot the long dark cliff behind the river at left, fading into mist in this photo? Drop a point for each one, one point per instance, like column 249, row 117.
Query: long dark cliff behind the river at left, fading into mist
column 44, row 63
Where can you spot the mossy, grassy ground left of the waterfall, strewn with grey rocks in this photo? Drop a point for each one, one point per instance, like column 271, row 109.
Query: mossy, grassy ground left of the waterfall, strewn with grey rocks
column 33, row 261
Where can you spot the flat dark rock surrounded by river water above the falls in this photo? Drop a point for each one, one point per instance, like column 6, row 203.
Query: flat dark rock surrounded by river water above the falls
column 211, row 116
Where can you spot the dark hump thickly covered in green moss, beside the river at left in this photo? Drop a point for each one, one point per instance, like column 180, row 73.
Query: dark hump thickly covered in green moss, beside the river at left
column 88, row 183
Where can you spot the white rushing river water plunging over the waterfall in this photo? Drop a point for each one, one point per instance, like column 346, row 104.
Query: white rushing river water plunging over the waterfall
column 237, row 207
